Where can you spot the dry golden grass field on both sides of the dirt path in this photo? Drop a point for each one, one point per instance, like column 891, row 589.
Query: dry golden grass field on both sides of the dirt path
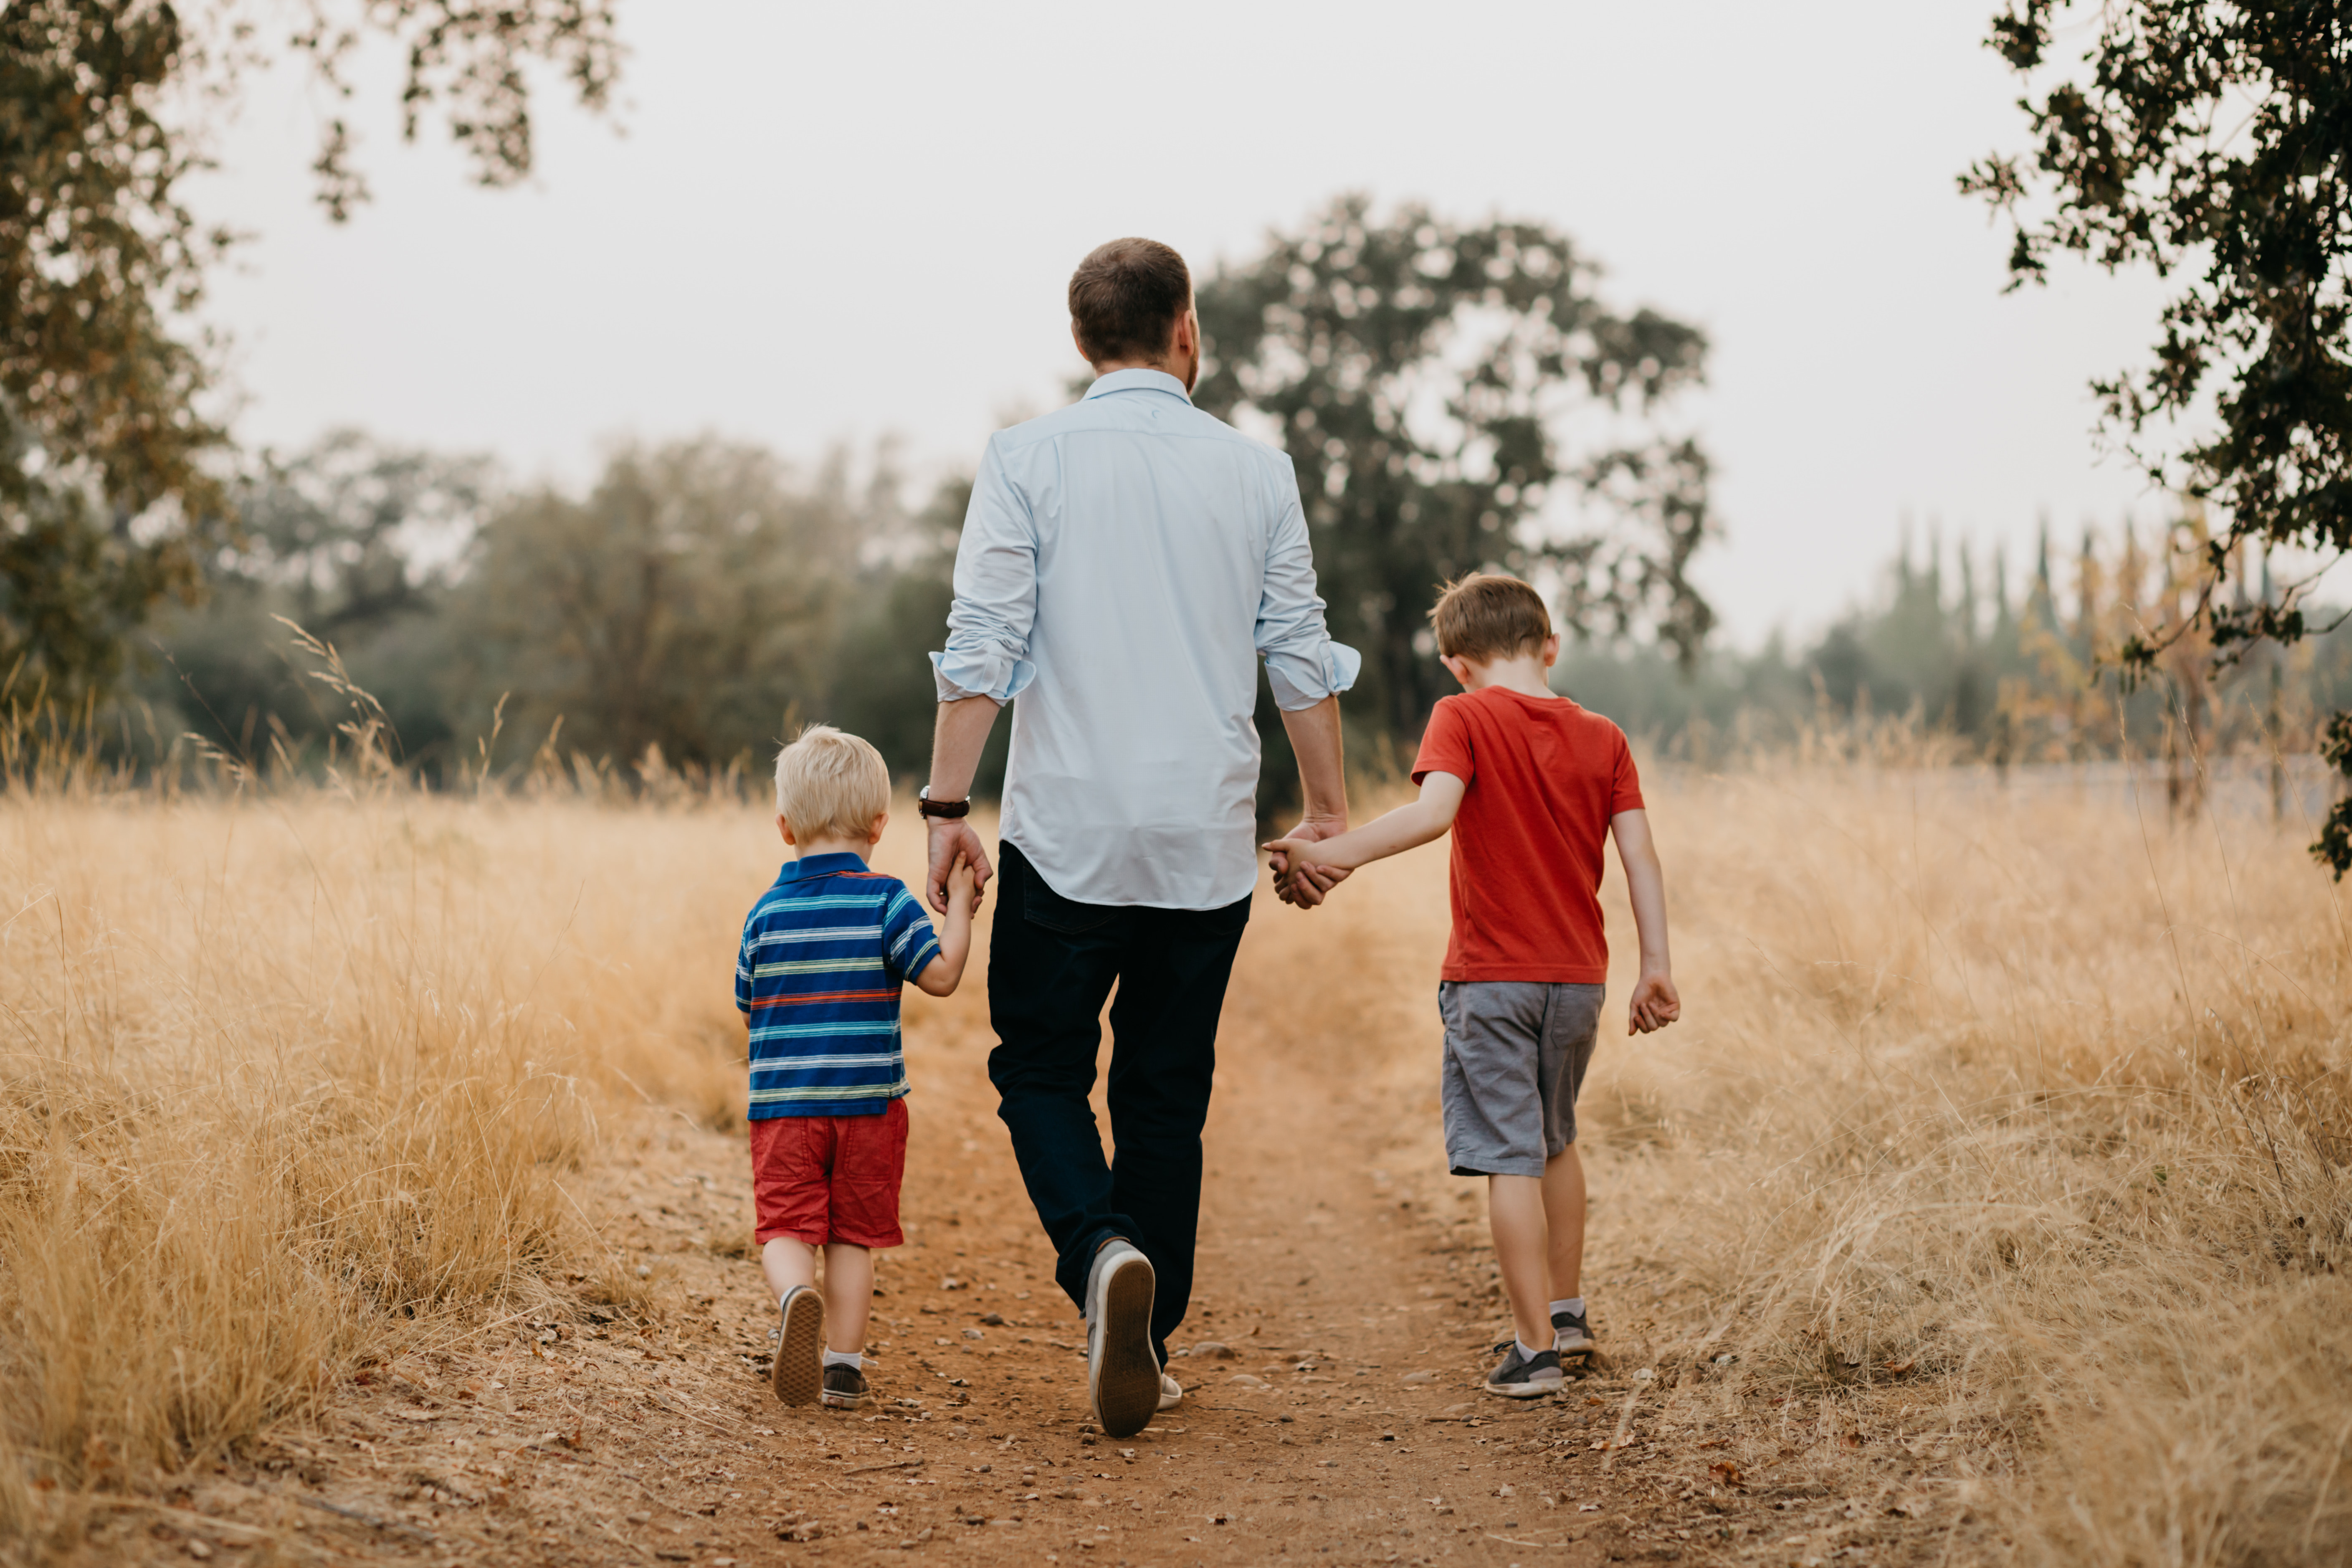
column 2007, row 1130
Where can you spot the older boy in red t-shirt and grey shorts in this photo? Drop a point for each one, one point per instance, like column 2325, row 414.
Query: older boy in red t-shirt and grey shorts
column 1532, row 784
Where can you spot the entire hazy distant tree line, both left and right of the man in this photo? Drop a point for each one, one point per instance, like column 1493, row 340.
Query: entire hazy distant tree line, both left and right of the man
column 707, row 598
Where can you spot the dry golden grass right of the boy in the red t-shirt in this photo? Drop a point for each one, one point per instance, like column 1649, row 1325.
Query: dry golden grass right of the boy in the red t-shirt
column 2040, row 1104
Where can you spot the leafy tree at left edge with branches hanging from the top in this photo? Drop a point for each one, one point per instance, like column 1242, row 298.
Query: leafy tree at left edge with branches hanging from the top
column 112, row 476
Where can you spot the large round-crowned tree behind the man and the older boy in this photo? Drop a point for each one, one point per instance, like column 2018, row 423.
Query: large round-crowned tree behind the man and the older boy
column 1424, row 380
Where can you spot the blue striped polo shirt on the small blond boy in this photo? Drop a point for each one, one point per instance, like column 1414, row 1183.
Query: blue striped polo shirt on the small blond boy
column 817, row 979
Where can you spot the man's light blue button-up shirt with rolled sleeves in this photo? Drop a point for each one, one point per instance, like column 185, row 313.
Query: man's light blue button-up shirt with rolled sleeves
column 1123, row 565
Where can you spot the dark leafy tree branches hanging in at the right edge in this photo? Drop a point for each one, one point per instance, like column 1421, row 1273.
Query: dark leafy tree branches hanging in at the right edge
column 2210, row 140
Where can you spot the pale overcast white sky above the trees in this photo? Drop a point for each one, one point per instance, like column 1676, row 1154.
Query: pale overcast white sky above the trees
column 820, row 225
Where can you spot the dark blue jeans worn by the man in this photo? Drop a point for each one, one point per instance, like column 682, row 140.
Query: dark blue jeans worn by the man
column 1050, row 967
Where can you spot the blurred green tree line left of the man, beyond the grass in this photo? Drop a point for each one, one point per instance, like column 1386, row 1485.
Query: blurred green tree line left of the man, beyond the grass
column 681, row 617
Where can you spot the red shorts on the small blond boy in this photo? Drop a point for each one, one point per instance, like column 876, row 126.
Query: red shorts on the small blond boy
column 829, row 1179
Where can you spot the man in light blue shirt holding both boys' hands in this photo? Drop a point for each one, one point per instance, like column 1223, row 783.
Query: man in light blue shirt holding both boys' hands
column 1123, row 565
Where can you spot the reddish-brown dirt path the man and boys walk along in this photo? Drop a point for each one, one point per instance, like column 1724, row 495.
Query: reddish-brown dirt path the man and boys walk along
column 1342, row 1275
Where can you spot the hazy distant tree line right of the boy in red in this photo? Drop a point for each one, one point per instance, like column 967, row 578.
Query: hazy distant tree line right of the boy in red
column 2007, row 669
